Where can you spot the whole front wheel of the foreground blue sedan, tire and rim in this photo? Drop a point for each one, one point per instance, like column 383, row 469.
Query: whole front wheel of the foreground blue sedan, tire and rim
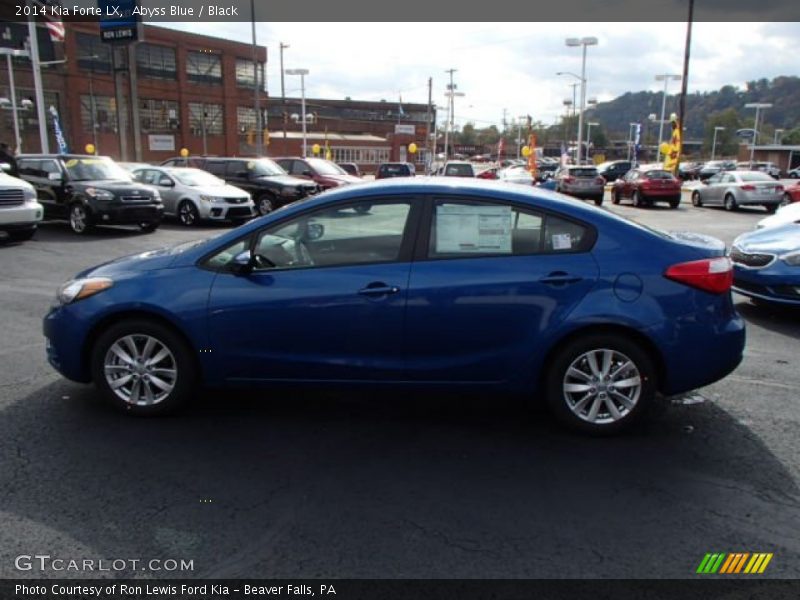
column 143, row 367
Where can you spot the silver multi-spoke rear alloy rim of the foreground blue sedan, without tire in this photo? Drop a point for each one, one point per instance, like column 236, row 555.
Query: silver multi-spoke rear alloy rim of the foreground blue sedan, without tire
column 602, row 386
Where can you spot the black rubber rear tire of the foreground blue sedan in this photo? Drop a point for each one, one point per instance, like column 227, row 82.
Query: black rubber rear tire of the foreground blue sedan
column 574, row 352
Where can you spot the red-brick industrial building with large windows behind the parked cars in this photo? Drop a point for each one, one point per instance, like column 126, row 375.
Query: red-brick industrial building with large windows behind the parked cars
column 182, row 90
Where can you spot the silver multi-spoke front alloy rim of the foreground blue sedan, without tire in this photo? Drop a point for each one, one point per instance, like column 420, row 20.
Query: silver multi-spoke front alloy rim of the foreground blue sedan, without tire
column 140, row 369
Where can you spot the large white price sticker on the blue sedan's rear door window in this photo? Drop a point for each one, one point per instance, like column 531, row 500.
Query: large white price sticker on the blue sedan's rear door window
column 472, row 229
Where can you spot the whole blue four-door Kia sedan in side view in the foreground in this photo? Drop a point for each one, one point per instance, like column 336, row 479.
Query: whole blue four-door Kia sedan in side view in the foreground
column 424, row 282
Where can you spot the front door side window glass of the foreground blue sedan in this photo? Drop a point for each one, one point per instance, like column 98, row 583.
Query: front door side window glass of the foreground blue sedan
column 360, row 232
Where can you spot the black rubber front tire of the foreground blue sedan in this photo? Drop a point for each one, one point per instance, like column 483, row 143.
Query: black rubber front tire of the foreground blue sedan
column 186, row 369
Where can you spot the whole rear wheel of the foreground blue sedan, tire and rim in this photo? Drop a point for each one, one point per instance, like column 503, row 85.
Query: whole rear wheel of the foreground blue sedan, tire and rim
column 600, row 383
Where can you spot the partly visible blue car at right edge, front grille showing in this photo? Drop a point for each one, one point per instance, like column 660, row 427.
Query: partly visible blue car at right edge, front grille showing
column 767, row 264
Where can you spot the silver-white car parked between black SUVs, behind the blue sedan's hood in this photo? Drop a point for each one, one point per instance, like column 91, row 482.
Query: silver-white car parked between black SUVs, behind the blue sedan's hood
column 193, row 194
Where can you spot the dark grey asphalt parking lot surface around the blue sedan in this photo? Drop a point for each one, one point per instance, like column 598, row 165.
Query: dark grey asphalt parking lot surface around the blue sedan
column 378, row 483
